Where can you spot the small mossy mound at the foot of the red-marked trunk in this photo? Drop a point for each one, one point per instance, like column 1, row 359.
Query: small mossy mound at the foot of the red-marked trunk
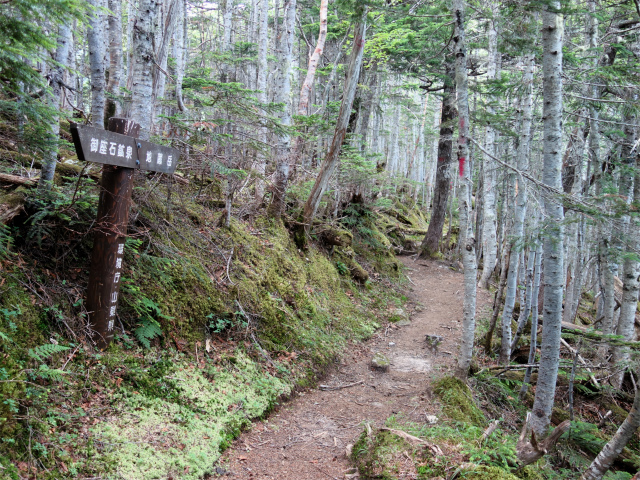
column 457, row 401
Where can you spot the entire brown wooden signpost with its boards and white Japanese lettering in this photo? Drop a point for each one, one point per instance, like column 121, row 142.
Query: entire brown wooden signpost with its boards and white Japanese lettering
column 121, row 153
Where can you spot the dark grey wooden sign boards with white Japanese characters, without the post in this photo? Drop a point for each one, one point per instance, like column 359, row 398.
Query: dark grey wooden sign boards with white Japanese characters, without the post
column 102, row 146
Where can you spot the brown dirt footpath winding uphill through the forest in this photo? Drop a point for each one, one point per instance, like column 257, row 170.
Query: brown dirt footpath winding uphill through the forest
column 306, row 438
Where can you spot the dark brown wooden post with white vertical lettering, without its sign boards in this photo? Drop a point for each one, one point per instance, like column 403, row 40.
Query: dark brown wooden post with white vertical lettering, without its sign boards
column 108, row 243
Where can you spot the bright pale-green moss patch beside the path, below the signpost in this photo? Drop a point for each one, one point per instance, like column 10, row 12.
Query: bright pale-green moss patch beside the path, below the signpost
column 176, row 419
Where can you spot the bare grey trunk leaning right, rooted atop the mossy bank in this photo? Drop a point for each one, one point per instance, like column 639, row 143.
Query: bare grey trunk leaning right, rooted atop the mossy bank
column 331, row 160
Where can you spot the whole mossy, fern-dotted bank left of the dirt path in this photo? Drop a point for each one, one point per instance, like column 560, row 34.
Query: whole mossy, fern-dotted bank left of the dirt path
column 215, row 326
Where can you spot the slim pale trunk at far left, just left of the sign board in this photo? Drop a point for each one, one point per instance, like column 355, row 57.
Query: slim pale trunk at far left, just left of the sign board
column 56, row 75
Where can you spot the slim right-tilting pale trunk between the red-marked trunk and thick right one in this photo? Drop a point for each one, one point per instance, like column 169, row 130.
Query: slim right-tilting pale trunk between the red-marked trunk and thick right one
column 520, row 212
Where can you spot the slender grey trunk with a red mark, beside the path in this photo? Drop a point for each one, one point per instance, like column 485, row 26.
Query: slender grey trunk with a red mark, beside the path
column 466, row 217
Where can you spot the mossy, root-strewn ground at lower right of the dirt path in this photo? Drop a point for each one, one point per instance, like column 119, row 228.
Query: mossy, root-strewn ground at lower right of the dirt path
column 465, row 413
